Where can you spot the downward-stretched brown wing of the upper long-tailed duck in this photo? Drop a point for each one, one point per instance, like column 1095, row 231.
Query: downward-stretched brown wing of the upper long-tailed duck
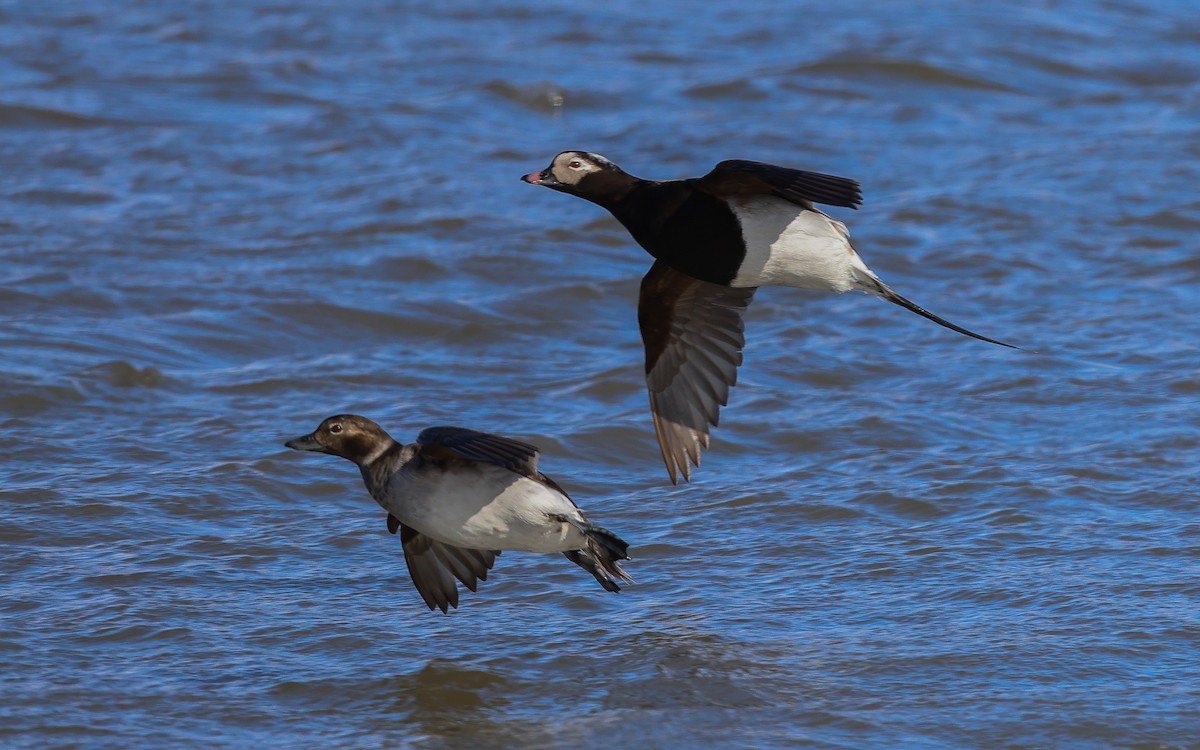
column 693, row 334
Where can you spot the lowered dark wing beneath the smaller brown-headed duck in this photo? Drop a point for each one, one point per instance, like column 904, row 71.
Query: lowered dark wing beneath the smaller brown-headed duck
column 435, row 566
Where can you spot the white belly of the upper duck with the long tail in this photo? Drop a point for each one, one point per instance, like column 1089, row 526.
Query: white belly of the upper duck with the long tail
column 790, row 247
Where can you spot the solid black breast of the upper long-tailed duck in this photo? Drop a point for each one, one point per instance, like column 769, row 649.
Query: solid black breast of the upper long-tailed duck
column 688, row 230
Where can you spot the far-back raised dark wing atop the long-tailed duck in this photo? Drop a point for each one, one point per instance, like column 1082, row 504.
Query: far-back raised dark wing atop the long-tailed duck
column 742, row 178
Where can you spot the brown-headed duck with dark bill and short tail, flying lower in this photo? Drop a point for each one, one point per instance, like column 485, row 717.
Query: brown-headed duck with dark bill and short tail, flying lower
column 459, row 497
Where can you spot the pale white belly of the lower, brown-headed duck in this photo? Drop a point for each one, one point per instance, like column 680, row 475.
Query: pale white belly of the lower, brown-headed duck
column 484, row 507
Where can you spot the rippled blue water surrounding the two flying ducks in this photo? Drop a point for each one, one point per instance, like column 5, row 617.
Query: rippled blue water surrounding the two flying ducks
column 224, row 221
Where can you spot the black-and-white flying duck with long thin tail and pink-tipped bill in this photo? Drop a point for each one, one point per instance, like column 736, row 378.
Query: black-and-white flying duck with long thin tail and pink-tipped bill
column 716, row 241
